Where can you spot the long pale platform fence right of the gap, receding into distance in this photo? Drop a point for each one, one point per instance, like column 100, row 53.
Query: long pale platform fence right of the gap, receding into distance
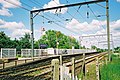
column 51, row 51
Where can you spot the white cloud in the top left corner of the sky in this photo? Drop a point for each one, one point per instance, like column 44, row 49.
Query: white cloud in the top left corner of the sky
column 4, row 11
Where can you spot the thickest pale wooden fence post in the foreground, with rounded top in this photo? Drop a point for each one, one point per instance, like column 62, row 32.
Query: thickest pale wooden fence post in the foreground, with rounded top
column 55, row 68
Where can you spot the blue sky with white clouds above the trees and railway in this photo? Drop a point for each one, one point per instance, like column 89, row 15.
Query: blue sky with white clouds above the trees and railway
column 75, row 21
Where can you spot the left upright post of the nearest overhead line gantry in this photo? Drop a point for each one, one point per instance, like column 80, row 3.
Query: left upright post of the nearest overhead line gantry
column 32, row 33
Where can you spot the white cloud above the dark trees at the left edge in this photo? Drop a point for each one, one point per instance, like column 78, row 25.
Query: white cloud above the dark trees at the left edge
column 17, row 29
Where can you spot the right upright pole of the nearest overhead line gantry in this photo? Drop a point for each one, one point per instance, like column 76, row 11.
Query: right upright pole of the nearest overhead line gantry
column 108, row 28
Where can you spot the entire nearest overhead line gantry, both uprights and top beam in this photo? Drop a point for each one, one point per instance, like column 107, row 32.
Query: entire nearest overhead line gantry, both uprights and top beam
column 71, row 5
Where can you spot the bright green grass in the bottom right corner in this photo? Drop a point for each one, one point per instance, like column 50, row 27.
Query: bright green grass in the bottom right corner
column 111, row 71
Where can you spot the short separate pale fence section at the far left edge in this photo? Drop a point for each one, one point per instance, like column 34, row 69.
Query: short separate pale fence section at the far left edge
column 8, row 53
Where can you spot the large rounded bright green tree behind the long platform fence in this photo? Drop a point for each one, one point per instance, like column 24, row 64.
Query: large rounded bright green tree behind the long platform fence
column 52, row 38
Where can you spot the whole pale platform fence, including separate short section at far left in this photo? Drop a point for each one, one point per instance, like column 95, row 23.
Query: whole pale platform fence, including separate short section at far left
column 11, row 53
